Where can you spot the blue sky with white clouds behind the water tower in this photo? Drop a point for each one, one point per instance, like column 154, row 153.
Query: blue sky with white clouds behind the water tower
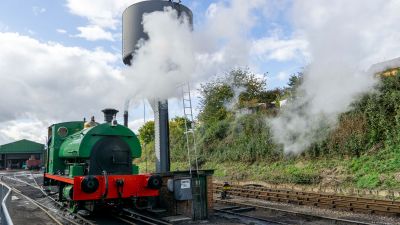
column 60, row 60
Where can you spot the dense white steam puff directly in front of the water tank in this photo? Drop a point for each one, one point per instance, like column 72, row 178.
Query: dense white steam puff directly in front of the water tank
column 166, row 60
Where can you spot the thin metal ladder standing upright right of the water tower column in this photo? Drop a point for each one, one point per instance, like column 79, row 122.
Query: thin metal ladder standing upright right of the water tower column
column 189, row 131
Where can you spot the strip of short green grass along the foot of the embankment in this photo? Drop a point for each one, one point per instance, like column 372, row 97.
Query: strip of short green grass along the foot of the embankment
column 367, row 172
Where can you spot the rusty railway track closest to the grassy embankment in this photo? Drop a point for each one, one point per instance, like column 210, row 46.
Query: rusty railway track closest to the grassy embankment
column 323, row 200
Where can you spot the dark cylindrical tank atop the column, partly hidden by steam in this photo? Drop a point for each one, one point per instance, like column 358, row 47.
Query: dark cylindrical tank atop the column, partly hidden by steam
column 132, row 28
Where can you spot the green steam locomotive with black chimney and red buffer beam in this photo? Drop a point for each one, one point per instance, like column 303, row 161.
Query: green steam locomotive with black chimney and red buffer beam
column 92, row 164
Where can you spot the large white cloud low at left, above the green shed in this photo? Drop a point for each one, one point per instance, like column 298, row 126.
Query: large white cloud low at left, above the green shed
column 50, row 82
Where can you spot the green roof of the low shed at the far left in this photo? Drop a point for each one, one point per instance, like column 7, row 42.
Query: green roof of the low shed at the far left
column 22, row 146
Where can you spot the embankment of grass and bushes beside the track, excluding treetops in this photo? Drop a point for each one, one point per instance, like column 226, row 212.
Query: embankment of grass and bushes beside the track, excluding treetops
column 363, row 151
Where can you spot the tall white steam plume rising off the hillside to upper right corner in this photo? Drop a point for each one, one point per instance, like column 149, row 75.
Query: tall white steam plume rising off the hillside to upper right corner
column 345, row 38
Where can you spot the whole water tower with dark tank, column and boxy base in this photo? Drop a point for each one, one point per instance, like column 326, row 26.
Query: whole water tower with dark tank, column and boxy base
column 180, row 188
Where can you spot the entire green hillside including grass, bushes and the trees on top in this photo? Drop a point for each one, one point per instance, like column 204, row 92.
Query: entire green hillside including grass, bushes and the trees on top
column 234, row 137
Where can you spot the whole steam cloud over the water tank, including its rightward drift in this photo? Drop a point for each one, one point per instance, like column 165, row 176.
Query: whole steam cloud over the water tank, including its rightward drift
column 176, row 54
